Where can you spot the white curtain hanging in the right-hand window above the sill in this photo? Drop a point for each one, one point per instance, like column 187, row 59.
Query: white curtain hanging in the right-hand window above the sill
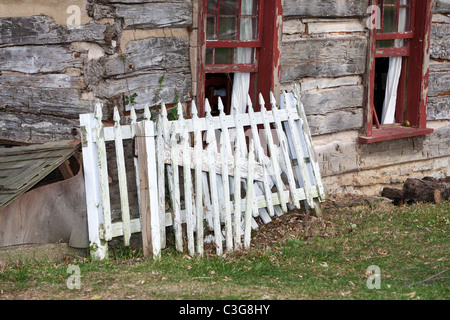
column 393, row 76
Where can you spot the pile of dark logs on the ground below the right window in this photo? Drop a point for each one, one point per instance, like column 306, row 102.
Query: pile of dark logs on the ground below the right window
column 417, row 190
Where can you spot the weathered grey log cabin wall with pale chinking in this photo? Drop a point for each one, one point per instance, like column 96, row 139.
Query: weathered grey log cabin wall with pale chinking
column 53, row 67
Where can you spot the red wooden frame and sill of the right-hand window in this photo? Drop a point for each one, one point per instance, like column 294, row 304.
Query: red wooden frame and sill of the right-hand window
column 417, row 49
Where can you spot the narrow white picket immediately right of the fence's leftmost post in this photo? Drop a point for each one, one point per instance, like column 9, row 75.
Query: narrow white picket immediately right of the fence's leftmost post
column 103, row 172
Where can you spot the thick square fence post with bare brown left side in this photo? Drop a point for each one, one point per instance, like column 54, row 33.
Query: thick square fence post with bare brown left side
column 145, row 141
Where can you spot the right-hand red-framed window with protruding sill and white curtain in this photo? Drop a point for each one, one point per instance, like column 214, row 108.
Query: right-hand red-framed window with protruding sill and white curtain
column 398, row 73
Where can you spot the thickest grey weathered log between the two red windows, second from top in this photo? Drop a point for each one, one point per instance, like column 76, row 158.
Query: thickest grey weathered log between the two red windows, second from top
column 323, row 57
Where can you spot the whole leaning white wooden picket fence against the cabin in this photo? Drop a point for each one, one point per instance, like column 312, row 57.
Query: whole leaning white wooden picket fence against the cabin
column 207, row 166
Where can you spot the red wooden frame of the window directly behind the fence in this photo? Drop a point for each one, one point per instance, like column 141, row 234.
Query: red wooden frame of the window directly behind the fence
column 265, row 69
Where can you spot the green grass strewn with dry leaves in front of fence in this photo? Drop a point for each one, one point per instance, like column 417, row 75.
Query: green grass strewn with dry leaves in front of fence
column 408, row 244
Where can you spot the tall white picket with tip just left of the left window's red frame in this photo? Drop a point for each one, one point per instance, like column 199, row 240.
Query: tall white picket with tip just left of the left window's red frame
column 198, row 147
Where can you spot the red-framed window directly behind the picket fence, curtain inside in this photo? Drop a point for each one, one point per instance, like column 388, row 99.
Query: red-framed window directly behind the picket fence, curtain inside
column 234, row 40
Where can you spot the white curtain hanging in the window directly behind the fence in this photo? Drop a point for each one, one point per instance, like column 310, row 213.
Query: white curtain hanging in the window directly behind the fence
column 241, row 81
